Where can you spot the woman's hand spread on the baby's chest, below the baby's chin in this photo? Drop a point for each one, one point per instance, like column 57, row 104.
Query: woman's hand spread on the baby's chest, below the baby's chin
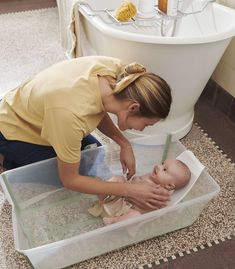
column 148, row 195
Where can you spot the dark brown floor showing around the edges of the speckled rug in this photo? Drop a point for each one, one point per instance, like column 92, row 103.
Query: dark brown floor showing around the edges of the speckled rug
column 213, row 122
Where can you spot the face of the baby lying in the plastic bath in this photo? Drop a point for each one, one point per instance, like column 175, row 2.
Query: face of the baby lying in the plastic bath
column 166, row 173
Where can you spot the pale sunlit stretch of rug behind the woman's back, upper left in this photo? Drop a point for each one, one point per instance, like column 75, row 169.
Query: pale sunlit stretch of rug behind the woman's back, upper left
column 29, row 42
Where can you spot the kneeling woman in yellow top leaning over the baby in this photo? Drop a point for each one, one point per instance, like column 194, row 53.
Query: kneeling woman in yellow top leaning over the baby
column 53, row 114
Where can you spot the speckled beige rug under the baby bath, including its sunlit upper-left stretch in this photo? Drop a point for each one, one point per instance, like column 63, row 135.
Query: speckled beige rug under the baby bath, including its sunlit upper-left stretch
column 30, row 43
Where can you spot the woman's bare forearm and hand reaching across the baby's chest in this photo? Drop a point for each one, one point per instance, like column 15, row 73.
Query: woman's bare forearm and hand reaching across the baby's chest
column 148, row 195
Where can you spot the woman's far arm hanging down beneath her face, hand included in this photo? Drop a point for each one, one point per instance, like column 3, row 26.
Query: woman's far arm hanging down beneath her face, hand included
column 127, row 158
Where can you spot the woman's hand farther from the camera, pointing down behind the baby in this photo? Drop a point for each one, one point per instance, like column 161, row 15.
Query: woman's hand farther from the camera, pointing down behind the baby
column 127, row 160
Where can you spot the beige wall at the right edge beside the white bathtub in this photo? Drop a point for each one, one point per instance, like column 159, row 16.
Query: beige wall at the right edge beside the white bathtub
column 224, row 74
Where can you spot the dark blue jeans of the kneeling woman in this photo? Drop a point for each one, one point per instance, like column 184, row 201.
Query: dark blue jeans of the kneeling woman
column 18, row 153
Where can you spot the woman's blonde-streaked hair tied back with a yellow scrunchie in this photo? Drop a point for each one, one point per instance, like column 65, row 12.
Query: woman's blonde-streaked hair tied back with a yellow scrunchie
column 150, row 91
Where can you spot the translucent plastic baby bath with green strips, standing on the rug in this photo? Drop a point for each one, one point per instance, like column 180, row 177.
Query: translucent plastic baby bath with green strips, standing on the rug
column 52, row 226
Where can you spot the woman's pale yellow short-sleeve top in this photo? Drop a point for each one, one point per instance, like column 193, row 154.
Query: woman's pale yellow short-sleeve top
column 59, row 106
